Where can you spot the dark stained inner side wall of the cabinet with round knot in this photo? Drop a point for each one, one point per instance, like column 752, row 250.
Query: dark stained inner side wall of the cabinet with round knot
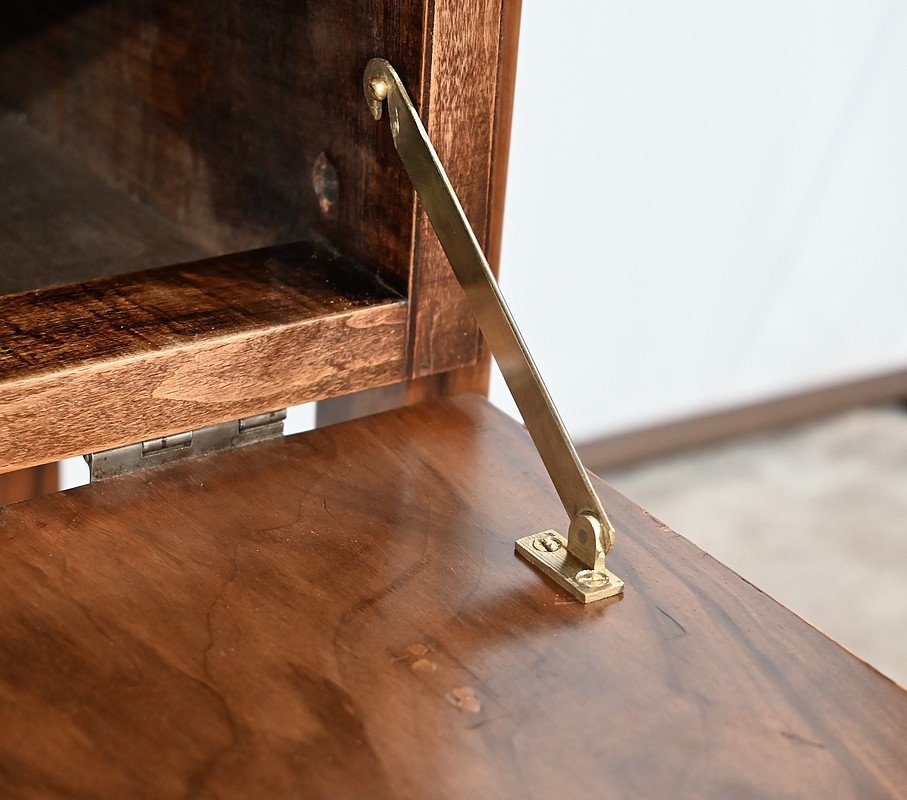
column 215, row 116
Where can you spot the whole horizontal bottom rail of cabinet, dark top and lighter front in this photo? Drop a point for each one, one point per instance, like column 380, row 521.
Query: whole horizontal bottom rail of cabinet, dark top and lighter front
column 127, row 358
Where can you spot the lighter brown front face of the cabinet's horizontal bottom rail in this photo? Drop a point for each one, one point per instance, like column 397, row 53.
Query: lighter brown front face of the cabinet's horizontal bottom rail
column 101, row 405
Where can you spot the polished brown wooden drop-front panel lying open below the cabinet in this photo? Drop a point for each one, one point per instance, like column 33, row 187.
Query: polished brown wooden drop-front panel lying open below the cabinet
column 341, row 614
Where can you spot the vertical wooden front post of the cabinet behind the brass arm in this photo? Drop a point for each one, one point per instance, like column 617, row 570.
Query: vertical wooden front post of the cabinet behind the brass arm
column 461, row 86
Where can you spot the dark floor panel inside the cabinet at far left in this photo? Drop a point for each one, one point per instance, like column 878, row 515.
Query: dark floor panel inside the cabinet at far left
column 61, row 223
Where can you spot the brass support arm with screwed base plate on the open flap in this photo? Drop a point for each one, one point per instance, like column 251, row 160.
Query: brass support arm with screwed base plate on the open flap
column 577, row 563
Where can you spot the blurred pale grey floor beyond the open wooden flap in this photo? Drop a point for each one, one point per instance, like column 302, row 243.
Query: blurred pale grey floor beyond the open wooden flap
column 816, row 516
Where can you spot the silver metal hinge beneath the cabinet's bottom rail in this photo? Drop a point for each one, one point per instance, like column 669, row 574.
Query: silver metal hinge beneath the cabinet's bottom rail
column 189, row 444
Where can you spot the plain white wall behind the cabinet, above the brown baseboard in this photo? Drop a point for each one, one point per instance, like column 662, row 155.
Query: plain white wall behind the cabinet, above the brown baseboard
column 707, row 201
